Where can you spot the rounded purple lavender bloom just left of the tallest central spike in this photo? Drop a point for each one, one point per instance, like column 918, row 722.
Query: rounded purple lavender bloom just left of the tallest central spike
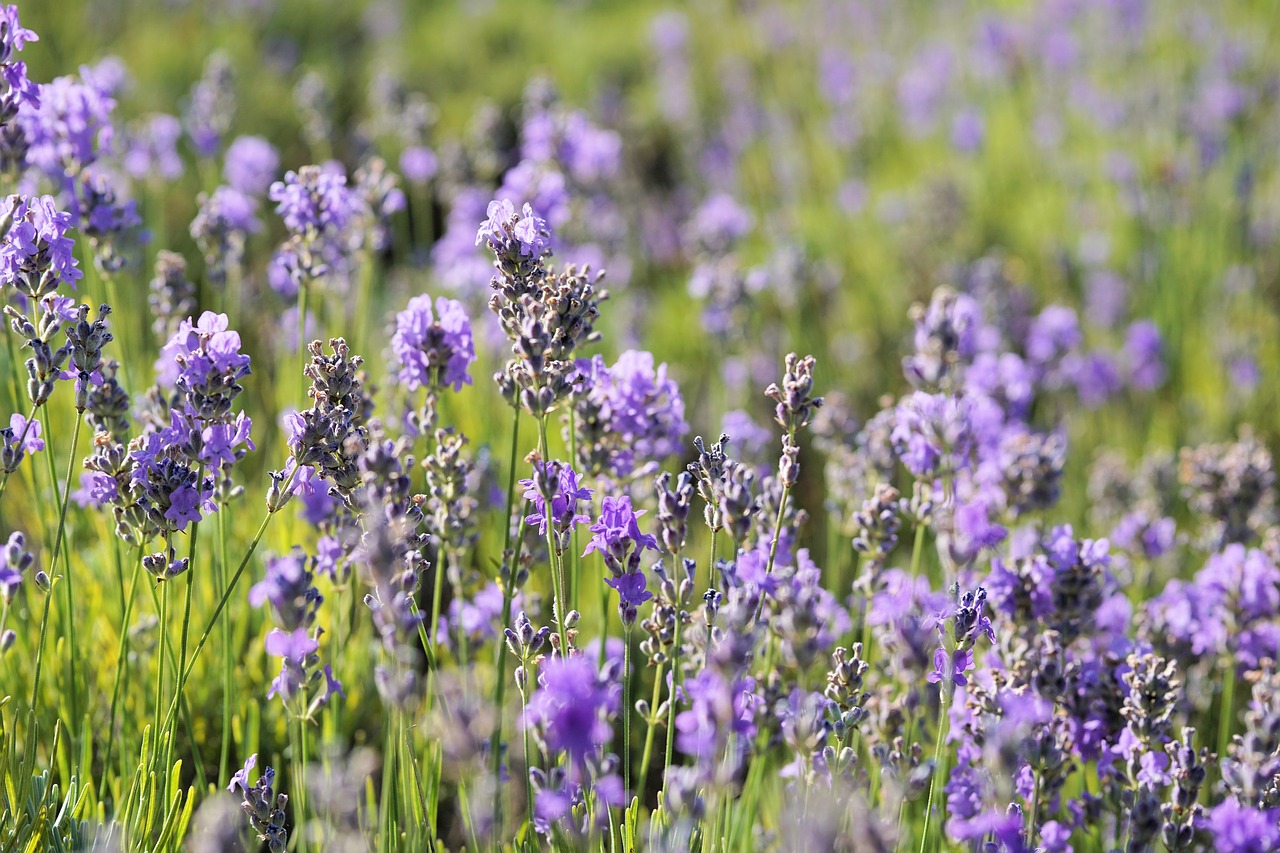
column 433, row 352
